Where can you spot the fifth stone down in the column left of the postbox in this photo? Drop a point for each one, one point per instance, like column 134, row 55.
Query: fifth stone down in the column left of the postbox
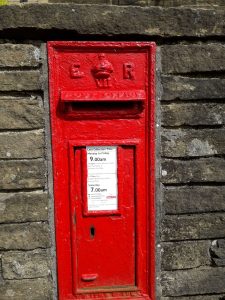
column 22, row 174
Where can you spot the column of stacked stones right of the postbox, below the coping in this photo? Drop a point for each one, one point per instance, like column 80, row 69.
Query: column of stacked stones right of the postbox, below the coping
column 192, row 149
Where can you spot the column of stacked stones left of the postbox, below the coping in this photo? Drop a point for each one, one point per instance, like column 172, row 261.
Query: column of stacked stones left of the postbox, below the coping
column 26, row 258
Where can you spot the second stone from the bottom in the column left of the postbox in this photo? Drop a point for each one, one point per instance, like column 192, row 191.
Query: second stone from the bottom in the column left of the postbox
column 26, row 264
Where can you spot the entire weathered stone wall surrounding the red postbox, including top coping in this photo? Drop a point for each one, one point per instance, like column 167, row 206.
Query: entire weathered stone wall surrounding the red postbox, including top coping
column 191, row 111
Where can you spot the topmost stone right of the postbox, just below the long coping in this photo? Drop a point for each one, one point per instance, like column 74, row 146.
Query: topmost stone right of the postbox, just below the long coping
column 193, row 58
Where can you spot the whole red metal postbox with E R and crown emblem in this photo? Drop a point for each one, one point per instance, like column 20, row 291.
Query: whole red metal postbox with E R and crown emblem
column 102, row 123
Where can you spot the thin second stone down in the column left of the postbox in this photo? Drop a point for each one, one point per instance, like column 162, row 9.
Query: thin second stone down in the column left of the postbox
column 20, row 80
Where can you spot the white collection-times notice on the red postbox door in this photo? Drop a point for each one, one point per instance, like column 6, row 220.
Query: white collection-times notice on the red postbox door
column 102, row 188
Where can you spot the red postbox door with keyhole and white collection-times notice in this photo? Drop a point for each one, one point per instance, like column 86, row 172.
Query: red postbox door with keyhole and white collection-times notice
column 104, row 237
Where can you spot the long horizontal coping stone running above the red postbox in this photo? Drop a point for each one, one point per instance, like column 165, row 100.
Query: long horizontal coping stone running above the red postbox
column 108, row 20
